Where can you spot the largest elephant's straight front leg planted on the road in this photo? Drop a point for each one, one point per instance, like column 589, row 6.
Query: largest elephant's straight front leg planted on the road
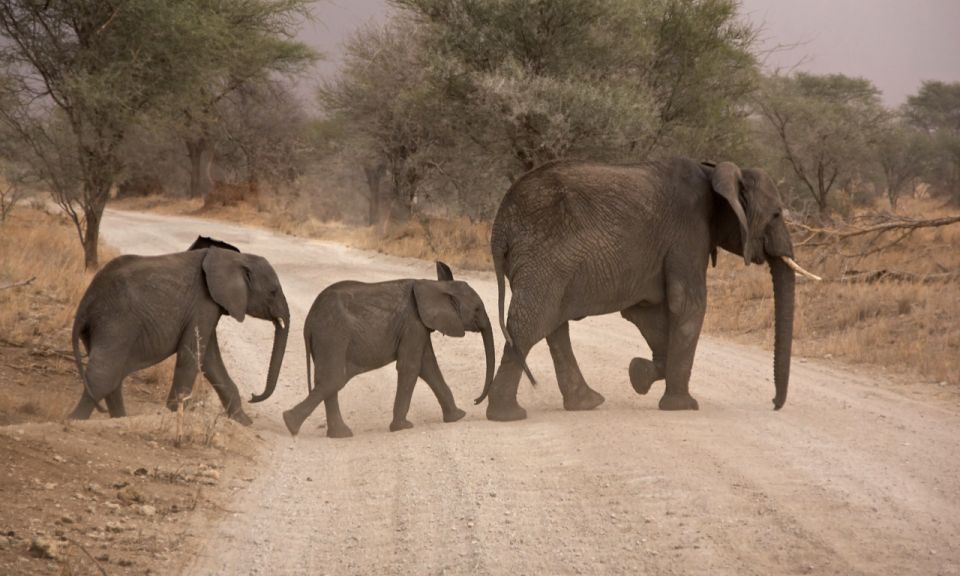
column 687, row 306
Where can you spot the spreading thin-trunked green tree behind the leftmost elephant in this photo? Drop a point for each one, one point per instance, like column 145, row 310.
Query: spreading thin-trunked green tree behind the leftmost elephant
column 82, row 72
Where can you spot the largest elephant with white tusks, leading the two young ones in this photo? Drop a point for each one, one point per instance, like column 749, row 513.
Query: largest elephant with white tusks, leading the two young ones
column 579, row 239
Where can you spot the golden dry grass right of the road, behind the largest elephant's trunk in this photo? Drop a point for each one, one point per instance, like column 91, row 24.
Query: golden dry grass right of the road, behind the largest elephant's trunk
column 907, row 327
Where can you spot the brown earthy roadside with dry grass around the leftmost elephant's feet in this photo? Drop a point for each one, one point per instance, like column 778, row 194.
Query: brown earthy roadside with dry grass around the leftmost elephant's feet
column 103, row 496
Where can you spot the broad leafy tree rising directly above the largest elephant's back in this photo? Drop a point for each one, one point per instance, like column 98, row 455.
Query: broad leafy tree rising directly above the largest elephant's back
column 542, row 80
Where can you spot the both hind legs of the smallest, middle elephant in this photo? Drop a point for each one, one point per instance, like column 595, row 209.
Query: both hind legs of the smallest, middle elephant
column 329, row 378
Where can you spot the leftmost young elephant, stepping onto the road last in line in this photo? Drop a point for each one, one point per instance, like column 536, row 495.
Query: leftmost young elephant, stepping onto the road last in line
column 139, row 310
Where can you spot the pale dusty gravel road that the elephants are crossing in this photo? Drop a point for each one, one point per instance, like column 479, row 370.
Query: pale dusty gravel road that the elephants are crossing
column 851, row 477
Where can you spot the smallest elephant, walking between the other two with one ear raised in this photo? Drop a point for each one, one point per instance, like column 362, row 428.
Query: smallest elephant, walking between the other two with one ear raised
column 354, row 327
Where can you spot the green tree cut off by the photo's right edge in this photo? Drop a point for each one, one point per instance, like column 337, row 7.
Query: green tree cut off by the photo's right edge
column 935, row 109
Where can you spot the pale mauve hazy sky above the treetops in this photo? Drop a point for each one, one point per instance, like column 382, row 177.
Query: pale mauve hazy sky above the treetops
column 894, row 43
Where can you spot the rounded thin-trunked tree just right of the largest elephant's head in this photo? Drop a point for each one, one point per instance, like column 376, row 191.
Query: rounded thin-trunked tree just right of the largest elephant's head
column 826, row 127
